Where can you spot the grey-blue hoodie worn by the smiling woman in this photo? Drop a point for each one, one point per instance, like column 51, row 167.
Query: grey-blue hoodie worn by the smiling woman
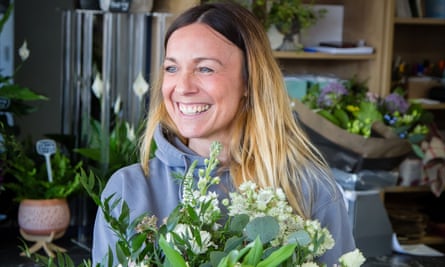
column 160, row 193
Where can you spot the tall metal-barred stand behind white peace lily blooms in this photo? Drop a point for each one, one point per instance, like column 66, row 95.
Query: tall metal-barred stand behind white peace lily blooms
column 117, row 48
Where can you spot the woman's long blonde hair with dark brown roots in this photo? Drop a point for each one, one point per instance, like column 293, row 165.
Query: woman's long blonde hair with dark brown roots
column 267, row 146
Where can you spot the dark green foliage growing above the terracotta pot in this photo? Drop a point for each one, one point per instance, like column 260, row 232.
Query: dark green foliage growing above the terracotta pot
column 28, row 174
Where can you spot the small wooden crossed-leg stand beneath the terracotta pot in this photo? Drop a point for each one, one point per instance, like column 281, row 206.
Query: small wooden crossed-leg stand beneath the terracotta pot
column 43, row 241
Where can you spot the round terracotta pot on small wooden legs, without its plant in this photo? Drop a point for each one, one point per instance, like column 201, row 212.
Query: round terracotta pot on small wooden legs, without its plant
column 43, row 216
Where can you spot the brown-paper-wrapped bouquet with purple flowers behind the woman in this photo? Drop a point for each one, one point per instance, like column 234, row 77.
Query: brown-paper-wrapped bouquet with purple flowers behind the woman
column 357, row 130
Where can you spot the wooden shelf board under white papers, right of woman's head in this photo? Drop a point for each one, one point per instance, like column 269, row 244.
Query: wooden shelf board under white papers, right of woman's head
column 321, row 56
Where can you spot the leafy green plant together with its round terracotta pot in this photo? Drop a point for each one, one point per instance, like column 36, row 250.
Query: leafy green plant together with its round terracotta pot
column 40, row 190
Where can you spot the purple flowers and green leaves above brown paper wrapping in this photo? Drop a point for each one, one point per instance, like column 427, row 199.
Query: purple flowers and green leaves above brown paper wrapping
column 352, row 107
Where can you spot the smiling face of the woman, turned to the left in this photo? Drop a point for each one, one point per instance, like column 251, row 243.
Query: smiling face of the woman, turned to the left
column 203, row 84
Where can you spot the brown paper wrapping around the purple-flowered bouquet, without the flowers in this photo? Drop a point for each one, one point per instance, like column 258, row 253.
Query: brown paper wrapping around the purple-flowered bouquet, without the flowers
column 351, row 152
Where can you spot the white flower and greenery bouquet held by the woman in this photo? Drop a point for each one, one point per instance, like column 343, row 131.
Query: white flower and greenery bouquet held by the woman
column 261, row 229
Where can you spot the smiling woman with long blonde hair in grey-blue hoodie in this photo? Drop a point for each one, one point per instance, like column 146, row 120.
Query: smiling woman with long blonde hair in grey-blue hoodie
column 221, row 83
